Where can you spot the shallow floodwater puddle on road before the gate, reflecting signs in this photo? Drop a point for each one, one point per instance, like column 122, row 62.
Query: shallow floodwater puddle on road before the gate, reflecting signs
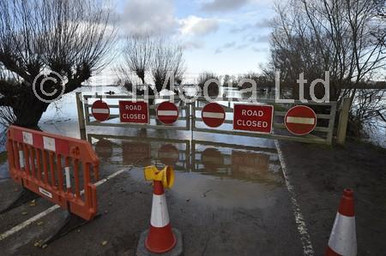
column 209, row 175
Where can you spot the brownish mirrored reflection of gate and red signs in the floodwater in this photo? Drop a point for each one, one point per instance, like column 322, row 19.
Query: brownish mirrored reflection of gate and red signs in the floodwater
column 225, row 161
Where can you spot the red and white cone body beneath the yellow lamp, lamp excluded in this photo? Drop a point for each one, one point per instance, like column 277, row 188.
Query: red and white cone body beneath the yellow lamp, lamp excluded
column 160, row 238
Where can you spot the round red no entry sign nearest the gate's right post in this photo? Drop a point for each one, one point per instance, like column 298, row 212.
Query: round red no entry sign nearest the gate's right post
column 300, row 120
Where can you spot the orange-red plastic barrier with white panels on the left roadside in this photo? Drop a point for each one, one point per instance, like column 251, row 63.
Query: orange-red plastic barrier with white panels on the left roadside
column 55, row 167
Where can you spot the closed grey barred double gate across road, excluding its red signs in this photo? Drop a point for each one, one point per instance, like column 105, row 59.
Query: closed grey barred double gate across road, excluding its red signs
column 190, row 118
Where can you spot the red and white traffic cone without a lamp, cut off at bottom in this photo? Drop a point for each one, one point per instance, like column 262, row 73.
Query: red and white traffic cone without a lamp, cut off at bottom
column 343, row 235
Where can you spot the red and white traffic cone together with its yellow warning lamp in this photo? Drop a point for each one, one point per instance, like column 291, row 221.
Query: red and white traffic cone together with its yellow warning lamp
column 160, row 237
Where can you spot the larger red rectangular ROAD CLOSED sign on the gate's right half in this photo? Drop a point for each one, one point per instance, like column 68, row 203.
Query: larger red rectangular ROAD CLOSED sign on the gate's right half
column 254, row 118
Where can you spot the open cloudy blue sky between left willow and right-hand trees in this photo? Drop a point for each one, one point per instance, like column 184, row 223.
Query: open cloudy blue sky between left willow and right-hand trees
column 219, row 36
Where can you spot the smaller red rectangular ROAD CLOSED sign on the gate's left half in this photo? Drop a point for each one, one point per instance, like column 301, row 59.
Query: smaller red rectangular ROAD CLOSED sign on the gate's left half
column 134, row 112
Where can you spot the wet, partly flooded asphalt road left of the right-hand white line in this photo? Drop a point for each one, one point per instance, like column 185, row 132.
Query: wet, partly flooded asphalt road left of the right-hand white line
column 227, row 199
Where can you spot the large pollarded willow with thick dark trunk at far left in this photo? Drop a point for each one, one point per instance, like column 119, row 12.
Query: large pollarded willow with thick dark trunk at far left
column 48, row 47
